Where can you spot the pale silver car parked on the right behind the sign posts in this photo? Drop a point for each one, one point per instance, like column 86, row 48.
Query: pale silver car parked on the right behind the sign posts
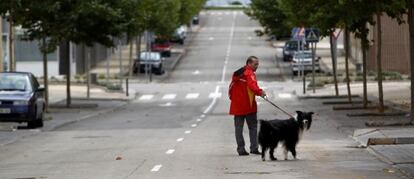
column 304, row 58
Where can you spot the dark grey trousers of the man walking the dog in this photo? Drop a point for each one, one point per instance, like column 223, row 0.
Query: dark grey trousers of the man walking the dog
column 251, row 120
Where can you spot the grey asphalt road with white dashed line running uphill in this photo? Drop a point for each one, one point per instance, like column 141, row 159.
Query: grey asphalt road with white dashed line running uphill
column 180, row 128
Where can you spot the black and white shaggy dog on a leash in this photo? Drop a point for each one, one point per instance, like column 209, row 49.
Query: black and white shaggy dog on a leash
column 287, row 132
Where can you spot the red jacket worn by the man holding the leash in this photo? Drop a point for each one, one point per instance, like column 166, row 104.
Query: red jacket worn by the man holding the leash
column 243, row 90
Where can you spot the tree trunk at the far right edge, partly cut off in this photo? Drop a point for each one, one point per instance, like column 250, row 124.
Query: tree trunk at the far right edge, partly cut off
column 411, row 29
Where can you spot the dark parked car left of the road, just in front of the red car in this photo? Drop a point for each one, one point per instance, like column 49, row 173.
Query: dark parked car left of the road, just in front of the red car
column 149, row 61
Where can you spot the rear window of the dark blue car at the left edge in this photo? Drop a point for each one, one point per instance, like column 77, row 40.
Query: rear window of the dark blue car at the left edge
column 14, row 82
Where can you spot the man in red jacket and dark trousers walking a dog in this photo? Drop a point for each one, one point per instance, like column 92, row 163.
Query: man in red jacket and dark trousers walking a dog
column 243, row 90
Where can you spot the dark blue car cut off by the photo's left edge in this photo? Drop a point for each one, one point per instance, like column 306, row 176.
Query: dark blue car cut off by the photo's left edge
column 21, row 99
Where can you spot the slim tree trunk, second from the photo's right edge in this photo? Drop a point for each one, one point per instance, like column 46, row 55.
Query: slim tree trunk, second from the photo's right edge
column 379, row 65
